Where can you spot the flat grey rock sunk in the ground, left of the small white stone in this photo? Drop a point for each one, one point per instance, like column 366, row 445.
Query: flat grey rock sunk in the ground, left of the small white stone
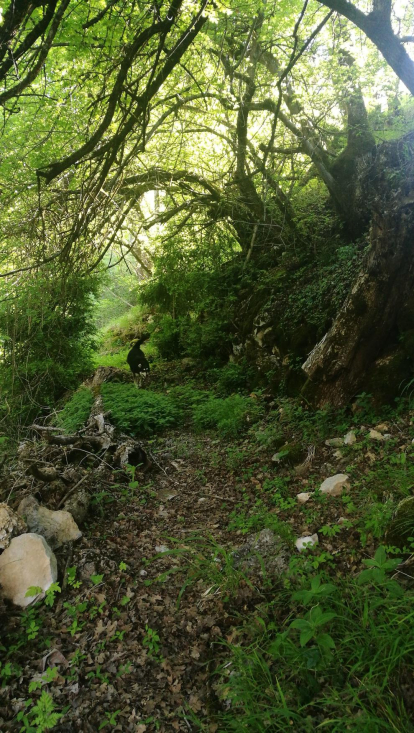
column 263, row 549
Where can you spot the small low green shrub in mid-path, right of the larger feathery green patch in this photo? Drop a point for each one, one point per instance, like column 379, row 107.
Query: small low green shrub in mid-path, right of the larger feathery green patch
column 230, row 416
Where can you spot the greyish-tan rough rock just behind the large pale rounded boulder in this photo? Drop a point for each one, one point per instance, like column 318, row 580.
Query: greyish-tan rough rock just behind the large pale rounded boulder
column 56, row 527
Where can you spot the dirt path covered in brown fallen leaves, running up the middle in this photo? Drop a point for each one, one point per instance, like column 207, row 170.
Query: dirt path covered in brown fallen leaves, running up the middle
column 129, row 651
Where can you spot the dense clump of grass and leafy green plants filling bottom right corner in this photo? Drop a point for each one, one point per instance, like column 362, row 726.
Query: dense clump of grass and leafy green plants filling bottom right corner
column 307, row 660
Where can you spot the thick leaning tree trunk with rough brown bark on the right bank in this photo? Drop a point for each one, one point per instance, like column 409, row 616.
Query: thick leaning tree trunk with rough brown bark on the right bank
column 339, row 363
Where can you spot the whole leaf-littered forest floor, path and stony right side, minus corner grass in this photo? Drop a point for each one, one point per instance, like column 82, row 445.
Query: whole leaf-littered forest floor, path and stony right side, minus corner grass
column 153, row 602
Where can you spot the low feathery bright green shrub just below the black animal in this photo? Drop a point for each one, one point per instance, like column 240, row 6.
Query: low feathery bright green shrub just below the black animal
column 139, row 412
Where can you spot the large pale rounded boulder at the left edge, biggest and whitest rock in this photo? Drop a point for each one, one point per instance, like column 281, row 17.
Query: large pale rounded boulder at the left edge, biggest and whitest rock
column 28, row 561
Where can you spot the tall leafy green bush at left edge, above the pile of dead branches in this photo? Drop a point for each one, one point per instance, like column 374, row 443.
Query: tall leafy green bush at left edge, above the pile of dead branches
column 47, row 335
